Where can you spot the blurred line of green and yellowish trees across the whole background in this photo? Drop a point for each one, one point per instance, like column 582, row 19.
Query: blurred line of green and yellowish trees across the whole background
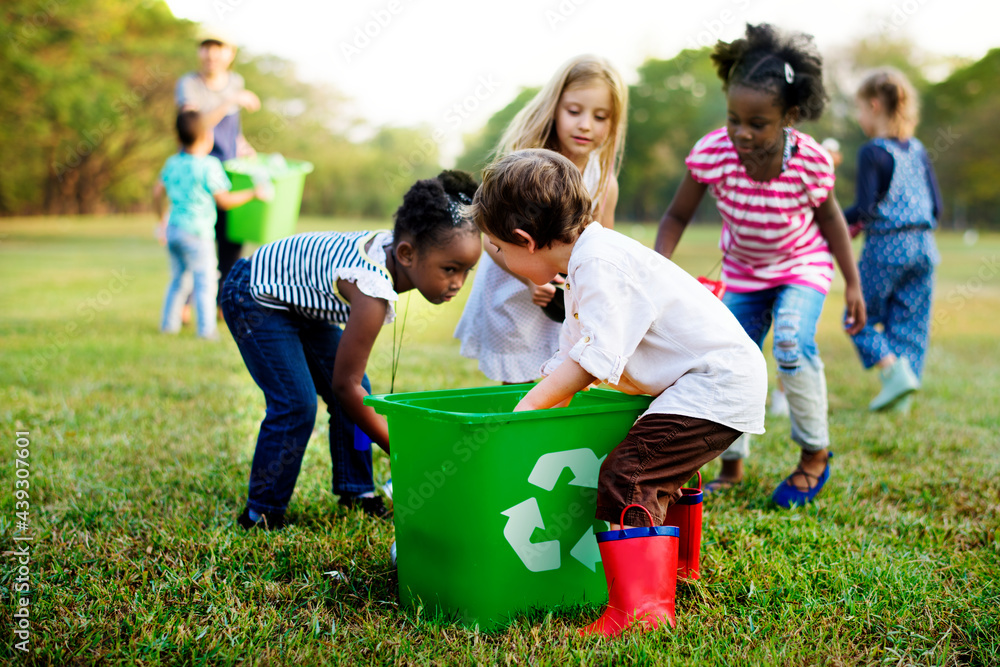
column 86, row 119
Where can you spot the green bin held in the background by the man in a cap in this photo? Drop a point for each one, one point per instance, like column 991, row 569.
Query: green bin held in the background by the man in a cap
column 265, row 221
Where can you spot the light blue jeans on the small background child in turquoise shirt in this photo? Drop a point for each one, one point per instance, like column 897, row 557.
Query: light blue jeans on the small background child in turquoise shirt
column 194, row 254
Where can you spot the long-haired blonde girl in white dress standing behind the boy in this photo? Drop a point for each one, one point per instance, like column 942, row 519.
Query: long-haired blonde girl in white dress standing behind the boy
column 580, row 113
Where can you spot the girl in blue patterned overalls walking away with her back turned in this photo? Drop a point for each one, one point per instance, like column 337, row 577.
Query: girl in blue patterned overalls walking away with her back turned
column 897, row 205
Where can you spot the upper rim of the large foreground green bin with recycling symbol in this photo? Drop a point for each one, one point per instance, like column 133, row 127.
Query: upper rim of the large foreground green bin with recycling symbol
column 391, row 403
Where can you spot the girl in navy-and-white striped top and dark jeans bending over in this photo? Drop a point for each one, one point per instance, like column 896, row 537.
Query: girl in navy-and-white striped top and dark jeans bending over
column 305, row 312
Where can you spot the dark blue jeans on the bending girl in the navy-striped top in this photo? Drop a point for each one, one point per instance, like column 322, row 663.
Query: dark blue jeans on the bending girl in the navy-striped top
column 291, row 359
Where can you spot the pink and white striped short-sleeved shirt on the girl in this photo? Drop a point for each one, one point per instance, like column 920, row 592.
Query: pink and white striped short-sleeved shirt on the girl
column 769, row 234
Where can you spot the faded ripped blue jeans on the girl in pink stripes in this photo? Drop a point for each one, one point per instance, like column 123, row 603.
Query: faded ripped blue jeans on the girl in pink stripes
column 794, row 311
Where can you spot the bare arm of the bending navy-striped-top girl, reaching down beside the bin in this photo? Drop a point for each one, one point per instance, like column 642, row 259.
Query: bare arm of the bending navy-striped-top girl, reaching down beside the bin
column 353, row 351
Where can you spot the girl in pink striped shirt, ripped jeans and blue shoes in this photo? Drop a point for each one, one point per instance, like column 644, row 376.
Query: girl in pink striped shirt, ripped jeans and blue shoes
column 781, row 230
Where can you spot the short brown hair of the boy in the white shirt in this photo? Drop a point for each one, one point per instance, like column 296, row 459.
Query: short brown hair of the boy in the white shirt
column 536, row 190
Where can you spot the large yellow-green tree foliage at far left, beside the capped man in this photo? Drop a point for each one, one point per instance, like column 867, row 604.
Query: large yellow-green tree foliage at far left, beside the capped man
column 86, row 89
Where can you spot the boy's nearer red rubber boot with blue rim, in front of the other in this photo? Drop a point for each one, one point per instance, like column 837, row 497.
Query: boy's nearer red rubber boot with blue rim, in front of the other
column 640, row 565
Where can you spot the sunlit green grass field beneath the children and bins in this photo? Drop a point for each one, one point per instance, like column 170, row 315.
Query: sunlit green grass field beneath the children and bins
column 140, row 446
